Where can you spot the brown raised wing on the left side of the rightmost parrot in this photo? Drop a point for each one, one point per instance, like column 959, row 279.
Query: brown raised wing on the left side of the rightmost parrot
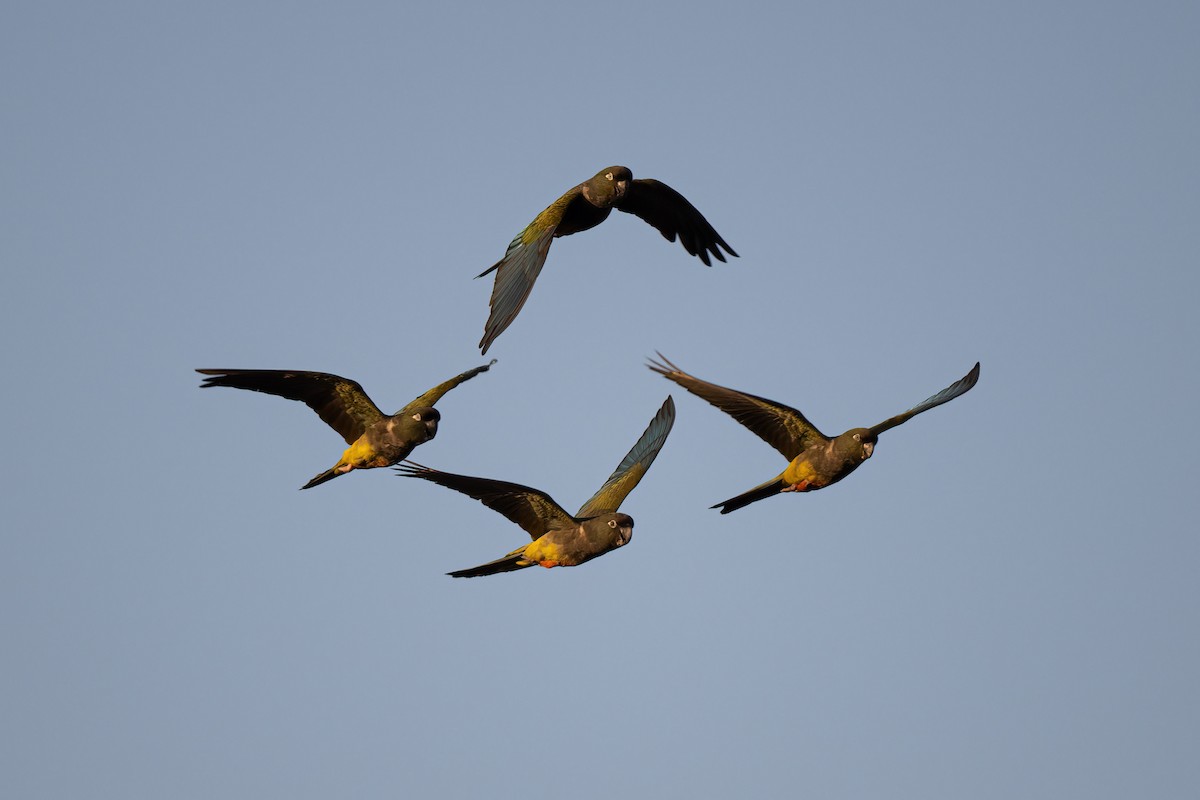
column 781, row 426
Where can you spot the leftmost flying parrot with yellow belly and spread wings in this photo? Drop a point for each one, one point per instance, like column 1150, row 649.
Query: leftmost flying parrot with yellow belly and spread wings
column 375, row 438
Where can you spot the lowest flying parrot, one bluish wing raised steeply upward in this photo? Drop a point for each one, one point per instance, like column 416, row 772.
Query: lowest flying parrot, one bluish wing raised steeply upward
column 559, row 538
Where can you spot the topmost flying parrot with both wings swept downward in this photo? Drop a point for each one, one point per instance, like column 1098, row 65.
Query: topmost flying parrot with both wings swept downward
column 586, row 207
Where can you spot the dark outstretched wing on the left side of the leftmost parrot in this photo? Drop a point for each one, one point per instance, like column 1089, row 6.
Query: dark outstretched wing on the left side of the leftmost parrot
column 339, row 401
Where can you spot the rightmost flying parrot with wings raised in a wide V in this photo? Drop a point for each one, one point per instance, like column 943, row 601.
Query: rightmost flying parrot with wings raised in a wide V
column 815, row 460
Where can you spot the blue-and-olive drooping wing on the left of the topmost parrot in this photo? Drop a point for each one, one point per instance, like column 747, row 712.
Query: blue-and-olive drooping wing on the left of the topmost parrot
column 521, row 266
